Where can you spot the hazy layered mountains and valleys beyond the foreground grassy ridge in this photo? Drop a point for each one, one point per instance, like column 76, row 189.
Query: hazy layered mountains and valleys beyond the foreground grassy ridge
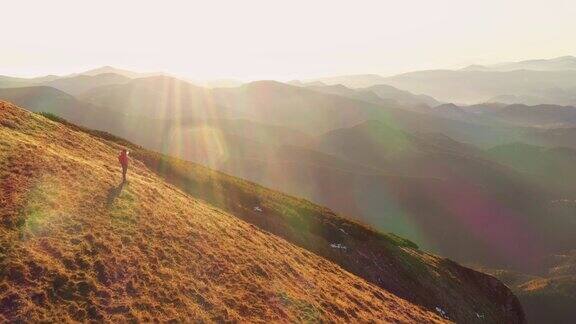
column 454, row 179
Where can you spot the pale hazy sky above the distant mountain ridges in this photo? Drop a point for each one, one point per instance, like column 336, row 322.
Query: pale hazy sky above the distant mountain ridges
column 251, row 39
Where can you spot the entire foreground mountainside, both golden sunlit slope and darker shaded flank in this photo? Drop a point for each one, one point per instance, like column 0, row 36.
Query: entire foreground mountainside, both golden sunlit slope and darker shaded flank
column 36, row 152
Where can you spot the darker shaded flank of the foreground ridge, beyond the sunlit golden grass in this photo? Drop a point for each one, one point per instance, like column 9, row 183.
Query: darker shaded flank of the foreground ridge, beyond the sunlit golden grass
column 387, row 261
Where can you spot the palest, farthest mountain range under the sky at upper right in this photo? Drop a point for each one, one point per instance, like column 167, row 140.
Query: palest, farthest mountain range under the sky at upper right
column 531, row 82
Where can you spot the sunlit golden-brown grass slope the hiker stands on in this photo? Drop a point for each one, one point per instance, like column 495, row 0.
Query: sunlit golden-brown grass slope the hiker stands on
column 77, row 244
